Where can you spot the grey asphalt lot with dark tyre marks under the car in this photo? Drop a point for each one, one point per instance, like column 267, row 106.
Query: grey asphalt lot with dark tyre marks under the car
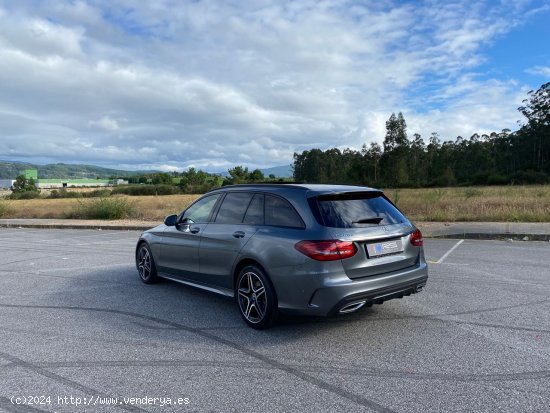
column 75, row 321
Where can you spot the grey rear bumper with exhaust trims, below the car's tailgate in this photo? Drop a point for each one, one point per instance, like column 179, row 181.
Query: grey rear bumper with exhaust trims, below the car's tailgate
column 334, row 296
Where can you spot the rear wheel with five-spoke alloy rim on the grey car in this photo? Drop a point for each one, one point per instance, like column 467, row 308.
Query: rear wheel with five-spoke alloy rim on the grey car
column 256, row 298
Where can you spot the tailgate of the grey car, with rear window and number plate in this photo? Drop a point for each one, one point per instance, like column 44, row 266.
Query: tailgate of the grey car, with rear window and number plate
column 380, row 232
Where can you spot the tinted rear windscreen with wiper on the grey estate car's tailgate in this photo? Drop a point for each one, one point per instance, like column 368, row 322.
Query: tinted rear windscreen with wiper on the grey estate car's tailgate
column 357, row 210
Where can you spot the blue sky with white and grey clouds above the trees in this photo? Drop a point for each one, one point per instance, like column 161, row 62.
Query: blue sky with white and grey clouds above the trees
column 171, row 84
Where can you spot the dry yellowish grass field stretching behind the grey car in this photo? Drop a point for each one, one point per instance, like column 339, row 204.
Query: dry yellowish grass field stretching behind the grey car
column 503, row 203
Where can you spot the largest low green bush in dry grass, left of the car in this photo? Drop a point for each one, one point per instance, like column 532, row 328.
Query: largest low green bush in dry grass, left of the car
column 104, row 208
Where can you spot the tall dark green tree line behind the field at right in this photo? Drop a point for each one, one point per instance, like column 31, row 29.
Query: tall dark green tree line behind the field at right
column 499, row 158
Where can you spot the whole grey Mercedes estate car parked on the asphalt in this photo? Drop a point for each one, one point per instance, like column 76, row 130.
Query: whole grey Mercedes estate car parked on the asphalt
column 293, row 248
